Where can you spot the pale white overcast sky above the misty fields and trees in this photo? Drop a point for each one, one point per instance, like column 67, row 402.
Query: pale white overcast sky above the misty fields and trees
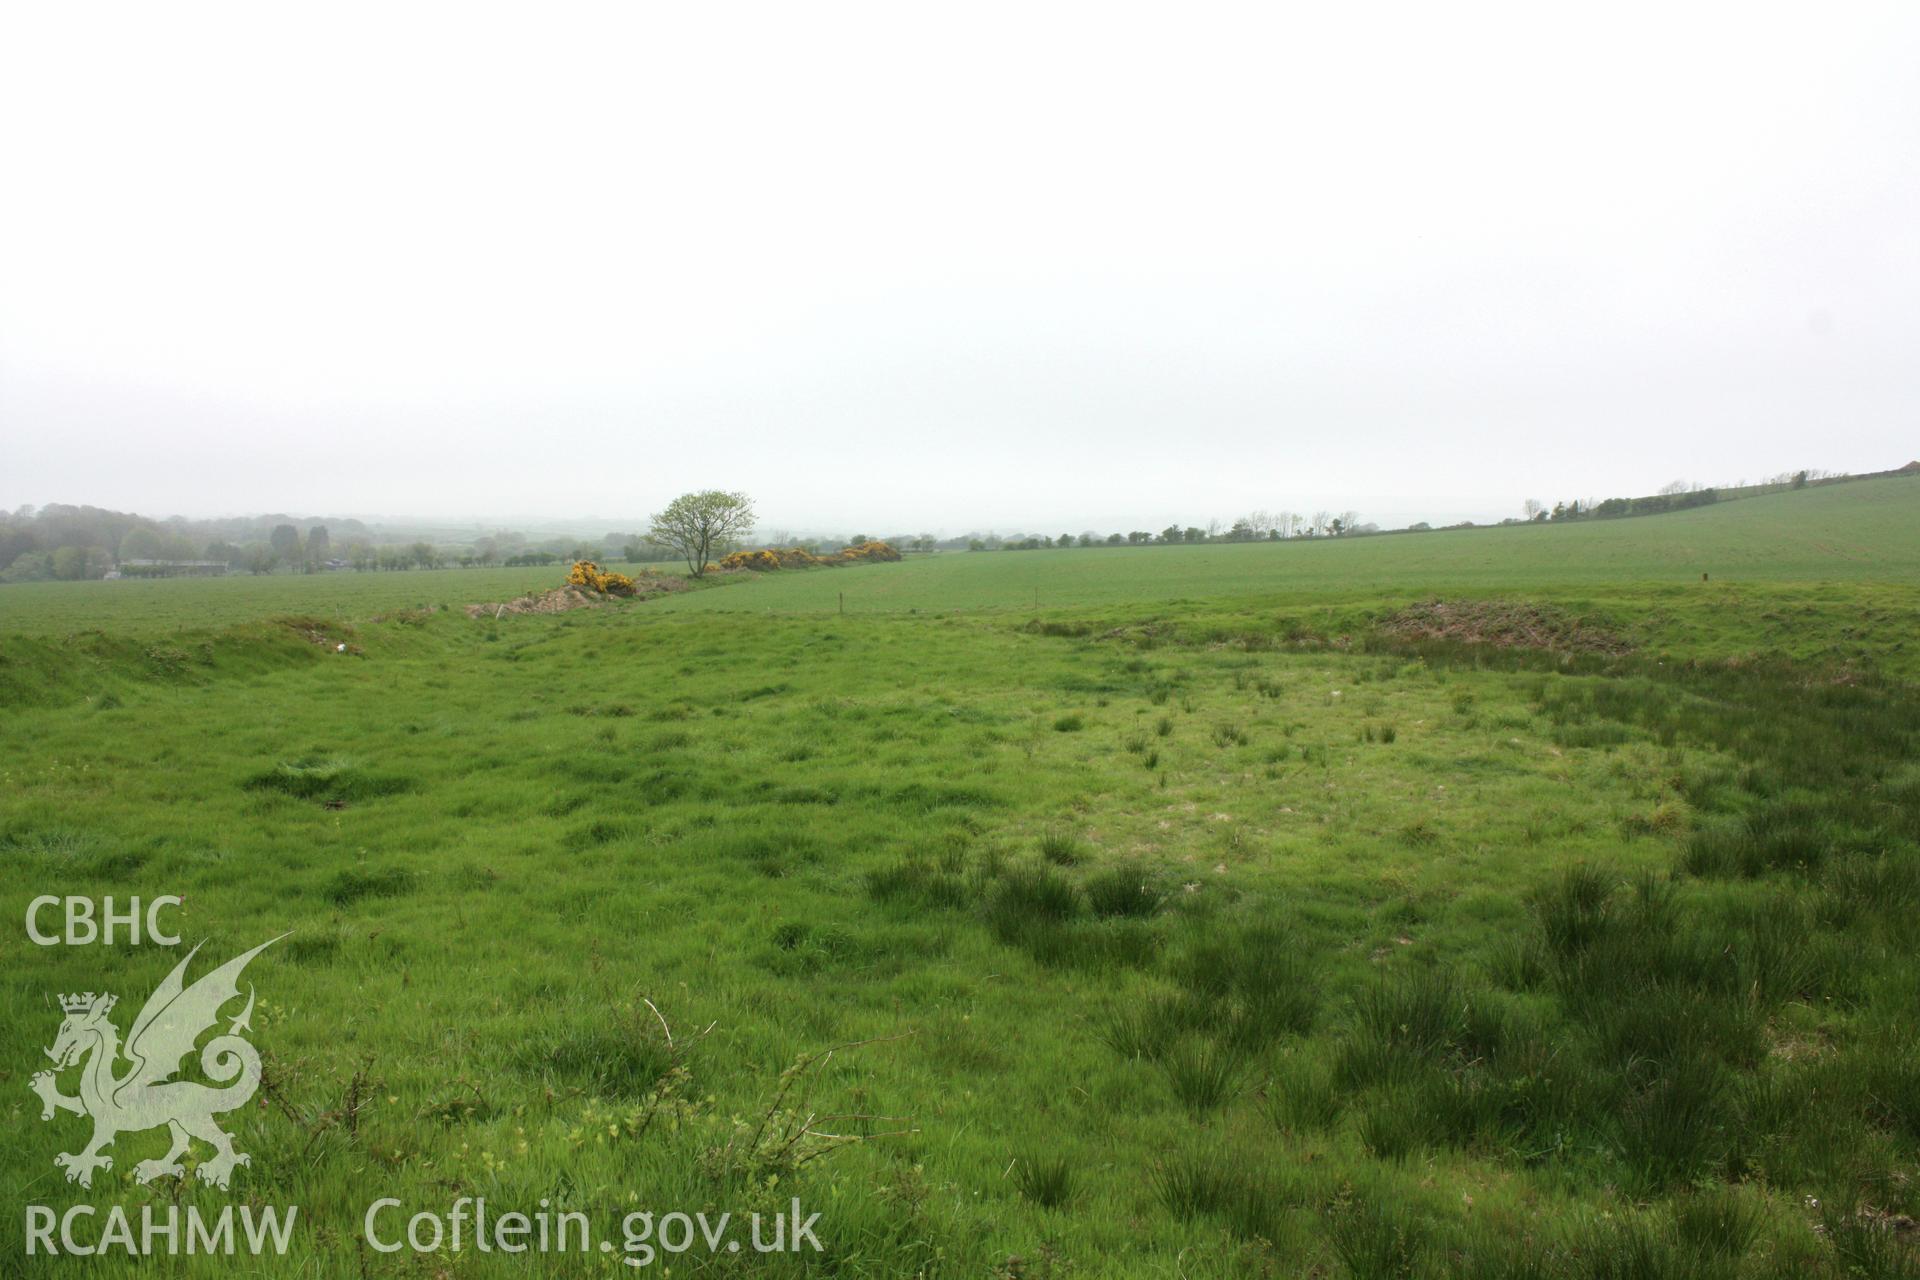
column 942, row 268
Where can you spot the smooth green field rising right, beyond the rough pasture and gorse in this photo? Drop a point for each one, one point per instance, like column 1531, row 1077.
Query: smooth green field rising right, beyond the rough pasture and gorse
column 1852, row 533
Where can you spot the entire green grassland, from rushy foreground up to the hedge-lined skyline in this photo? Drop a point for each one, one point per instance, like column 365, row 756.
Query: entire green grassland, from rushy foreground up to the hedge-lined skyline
column 1197, row 924
